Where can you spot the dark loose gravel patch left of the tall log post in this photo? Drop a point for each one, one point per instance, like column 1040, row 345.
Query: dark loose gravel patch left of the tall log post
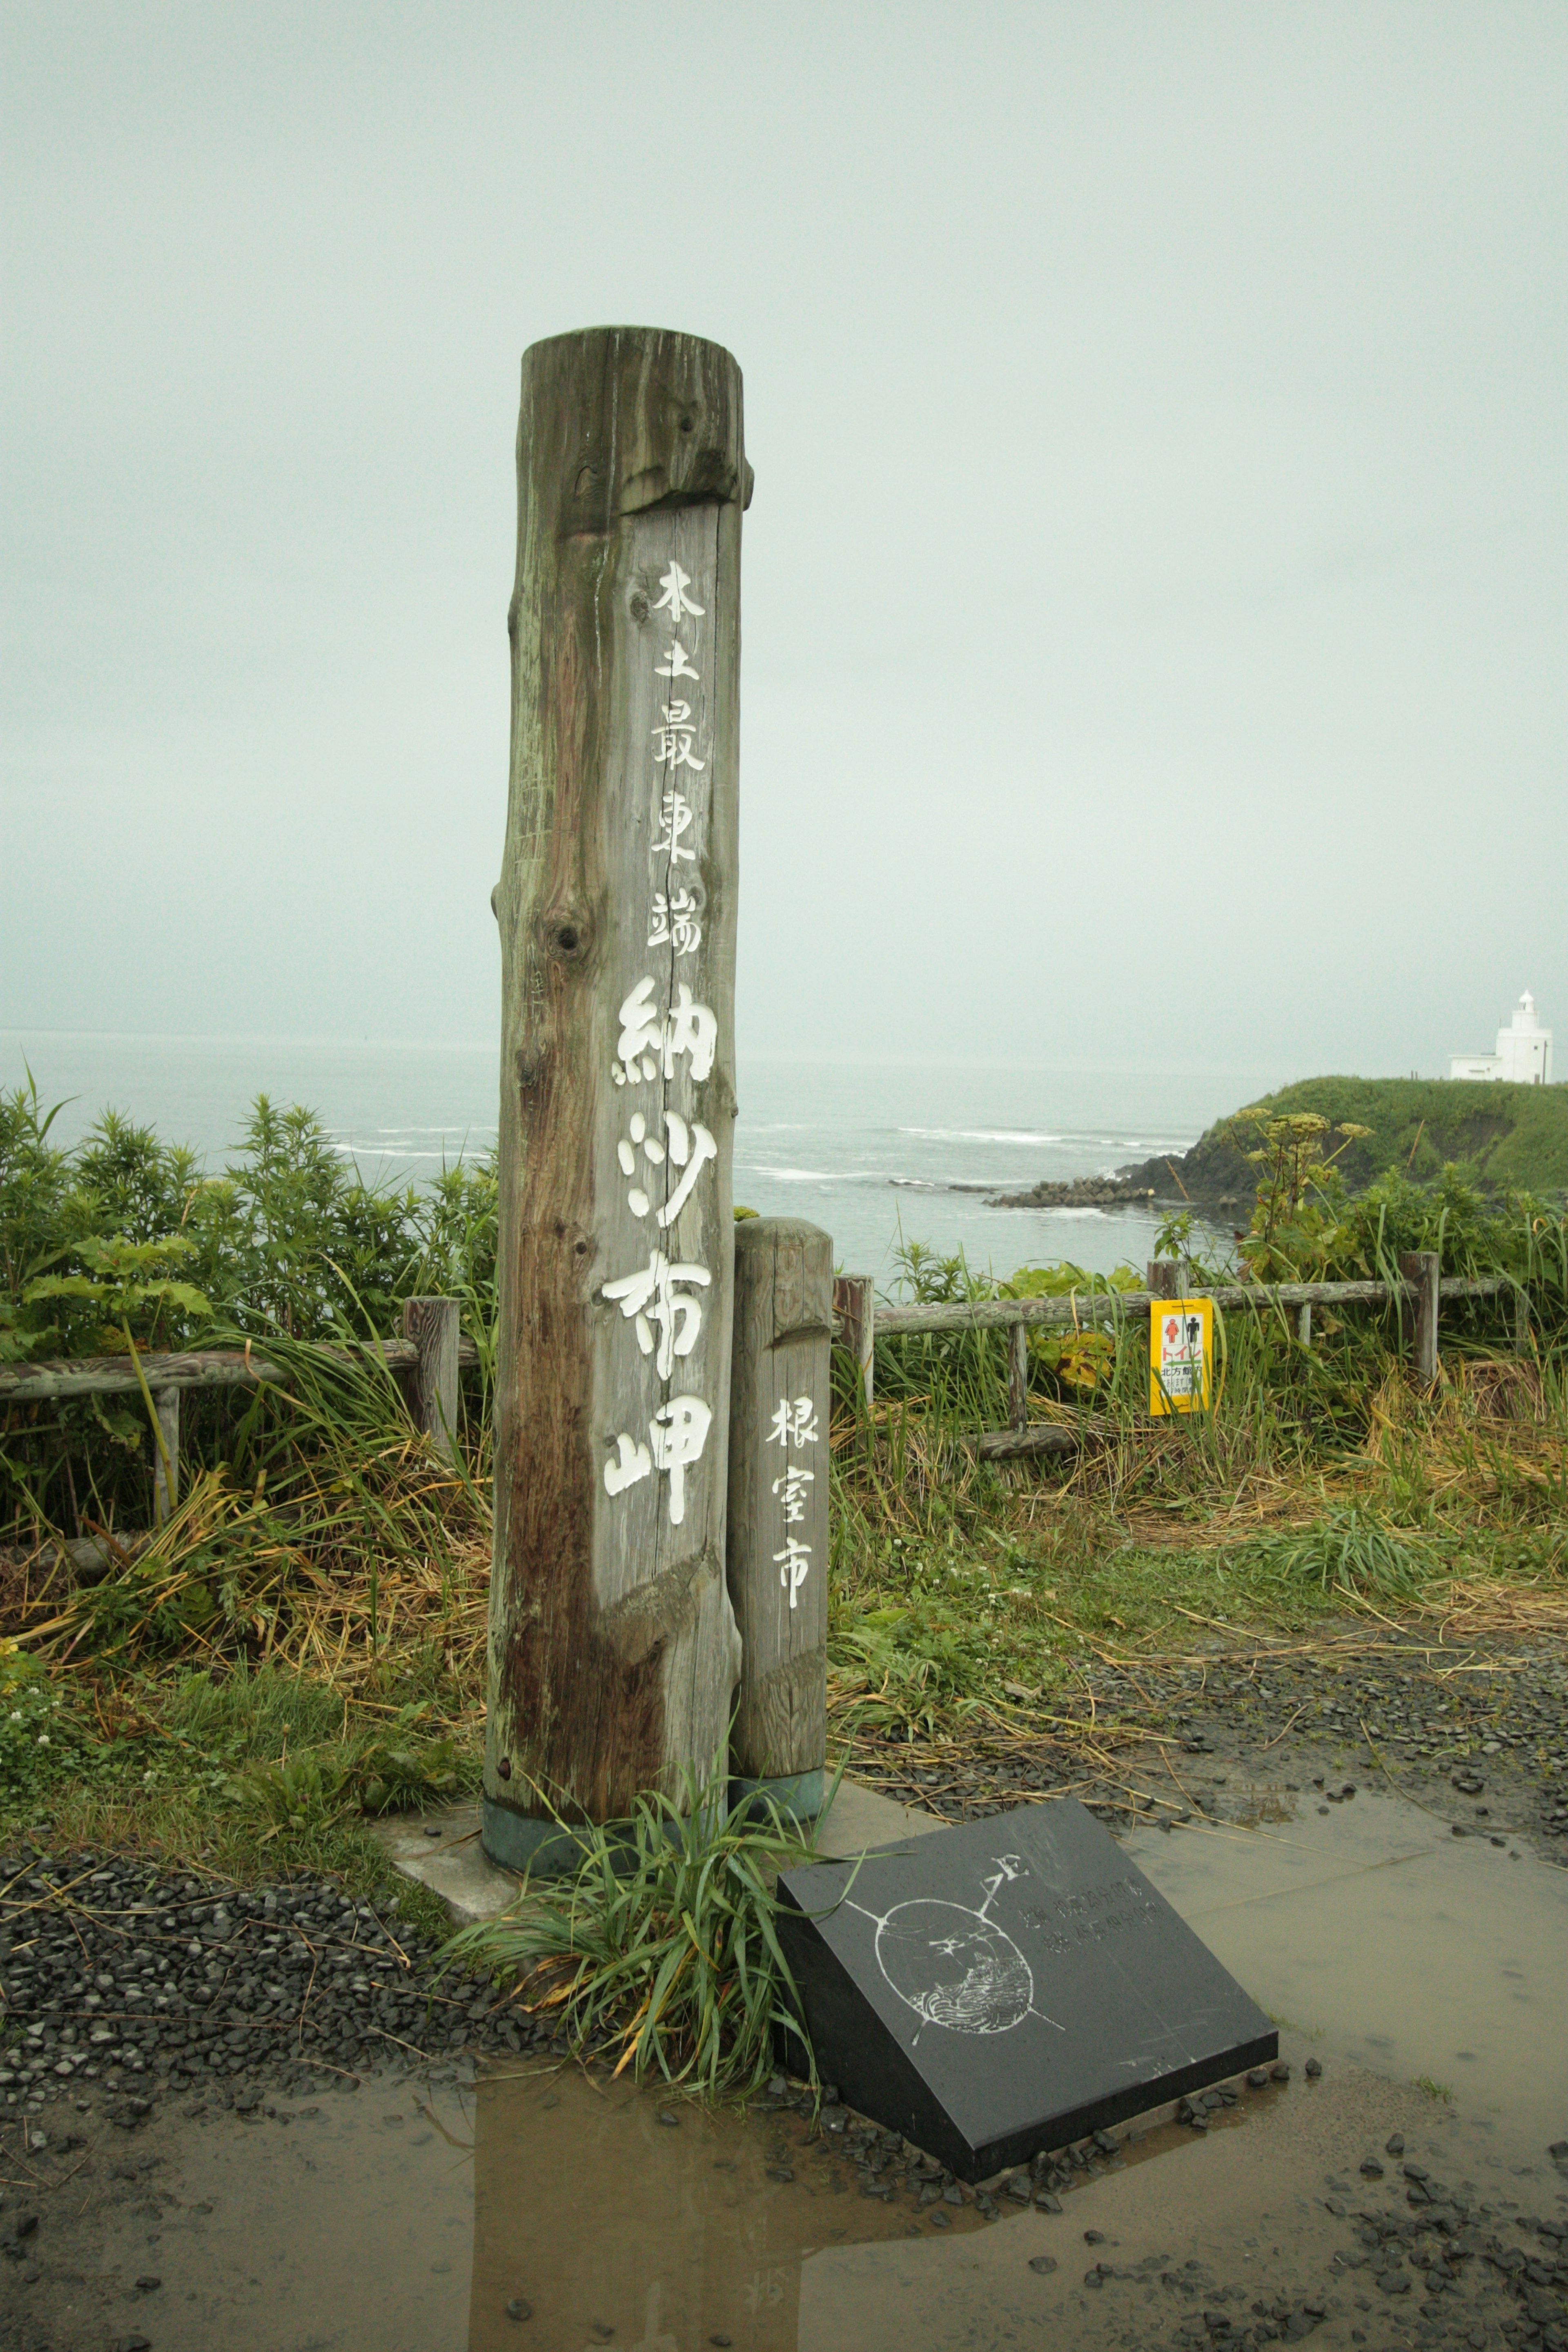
column 142, row 1982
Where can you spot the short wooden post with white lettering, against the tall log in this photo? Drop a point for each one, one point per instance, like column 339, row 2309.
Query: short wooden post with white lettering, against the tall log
column 779, row 1509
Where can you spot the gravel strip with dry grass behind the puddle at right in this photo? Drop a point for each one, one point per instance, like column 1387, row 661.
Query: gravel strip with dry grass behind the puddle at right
column 1477, row 1739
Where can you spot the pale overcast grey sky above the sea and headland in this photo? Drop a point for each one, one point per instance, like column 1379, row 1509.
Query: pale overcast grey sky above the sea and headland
column 1153, row 592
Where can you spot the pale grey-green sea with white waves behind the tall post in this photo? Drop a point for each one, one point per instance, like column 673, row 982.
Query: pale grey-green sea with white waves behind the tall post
column 876, row 1154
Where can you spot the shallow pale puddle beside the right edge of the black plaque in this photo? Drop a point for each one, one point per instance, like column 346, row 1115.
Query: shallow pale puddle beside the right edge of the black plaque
column 1407, row 1949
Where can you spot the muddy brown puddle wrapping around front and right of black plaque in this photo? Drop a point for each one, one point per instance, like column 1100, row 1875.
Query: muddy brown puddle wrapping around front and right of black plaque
column 398, row 2221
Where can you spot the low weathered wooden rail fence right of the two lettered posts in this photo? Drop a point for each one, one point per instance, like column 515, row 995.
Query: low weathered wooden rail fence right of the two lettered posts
column 1419, row 1297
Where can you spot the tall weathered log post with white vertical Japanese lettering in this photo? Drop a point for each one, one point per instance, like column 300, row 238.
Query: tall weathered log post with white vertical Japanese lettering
column 612, row 1643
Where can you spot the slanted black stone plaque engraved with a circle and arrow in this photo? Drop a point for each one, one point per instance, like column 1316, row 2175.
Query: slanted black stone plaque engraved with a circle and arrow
column 1007, row 1986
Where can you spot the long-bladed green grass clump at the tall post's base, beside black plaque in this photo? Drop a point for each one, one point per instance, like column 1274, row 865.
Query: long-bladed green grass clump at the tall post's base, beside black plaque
column 659, row 1949
